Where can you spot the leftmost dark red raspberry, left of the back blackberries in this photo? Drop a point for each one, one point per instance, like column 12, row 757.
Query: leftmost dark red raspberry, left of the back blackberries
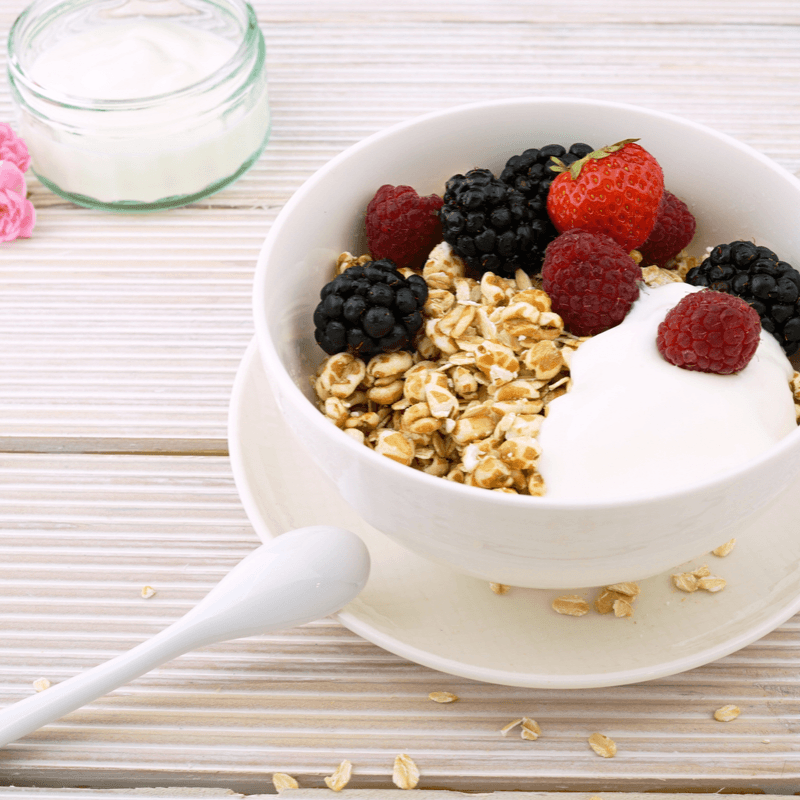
column 402, row 226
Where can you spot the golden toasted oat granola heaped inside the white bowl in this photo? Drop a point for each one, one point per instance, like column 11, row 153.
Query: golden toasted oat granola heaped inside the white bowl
column 468, row 404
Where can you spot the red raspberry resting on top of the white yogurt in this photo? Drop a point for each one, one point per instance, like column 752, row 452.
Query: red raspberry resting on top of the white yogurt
column 710, row 331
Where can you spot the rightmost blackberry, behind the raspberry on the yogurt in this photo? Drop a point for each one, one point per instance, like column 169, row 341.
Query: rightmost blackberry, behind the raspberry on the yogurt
column 758, row 276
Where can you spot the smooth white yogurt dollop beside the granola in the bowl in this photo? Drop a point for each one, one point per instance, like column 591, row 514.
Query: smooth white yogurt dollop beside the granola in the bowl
column 632, row 422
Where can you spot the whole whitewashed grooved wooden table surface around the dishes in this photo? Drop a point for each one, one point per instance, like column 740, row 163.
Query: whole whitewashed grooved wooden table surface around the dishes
column 120, row 336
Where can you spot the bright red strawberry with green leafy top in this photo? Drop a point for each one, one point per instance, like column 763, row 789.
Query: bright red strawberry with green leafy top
column 615, row 190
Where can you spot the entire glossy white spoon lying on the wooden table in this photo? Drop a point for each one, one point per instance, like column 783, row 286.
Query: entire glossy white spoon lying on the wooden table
column 299, row 577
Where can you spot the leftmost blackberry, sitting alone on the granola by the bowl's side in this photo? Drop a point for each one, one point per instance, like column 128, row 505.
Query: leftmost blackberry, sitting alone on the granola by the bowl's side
column 369, row 309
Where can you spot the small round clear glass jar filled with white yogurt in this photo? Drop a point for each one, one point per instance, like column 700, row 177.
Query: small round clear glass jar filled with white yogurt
column 142, row 143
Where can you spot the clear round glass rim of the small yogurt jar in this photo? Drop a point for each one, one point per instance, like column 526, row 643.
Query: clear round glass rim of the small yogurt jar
column 17, row 73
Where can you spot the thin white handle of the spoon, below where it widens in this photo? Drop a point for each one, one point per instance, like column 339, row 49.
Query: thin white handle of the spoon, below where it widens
column 37, row 710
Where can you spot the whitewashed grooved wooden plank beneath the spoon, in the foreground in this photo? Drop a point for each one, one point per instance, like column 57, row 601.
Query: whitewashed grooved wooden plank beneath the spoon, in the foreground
column 81, row 535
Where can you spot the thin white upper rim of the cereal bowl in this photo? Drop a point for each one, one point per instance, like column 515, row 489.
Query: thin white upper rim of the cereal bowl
column 278, row 374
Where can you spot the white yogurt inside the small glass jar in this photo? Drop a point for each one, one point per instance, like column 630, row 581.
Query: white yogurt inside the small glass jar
column 112, row 146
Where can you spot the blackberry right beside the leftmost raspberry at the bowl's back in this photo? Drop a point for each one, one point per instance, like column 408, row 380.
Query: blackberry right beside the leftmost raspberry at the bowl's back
column 489, row 225
